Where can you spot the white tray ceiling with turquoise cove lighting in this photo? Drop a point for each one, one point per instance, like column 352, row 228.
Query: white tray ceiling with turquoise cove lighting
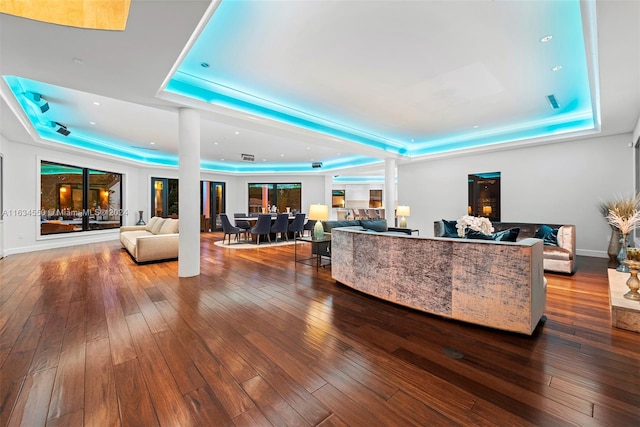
column 396, row 70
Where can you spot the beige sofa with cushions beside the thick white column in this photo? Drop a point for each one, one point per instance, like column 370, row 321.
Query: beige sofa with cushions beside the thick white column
column 158, row 240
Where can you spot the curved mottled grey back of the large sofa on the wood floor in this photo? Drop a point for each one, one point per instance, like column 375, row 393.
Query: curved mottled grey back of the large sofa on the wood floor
column 496, row 284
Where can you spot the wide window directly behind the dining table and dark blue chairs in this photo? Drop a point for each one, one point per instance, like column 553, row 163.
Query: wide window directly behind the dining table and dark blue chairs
column 281, row 195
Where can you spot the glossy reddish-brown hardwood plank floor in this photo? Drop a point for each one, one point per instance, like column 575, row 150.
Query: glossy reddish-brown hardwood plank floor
column 90, row 338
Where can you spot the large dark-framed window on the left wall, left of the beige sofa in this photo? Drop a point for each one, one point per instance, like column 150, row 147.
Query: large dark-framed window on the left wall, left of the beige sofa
column 75, row 199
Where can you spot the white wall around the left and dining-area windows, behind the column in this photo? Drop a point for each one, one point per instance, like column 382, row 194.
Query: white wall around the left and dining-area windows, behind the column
column 21, row 194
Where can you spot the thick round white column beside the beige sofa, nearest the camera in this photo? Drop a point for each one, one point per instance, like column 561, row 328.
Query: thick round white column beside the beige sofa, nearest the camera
column 189, row 192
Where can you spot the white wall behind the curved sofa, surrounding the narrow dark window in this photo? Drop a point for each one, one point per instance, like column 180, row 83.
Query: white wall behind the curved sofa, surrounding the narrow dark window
column 558, row 183
